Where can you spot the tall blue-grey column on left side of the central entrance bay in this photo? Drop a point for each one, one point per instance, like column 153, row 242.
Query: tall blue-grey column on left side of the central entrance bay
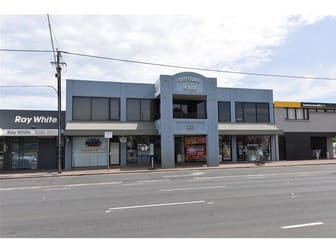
column 166, row 121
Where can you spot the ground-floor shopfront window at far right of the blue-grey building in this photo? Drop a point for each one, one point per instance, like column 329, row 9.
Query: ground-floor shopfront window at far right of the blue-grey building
column 248, row 147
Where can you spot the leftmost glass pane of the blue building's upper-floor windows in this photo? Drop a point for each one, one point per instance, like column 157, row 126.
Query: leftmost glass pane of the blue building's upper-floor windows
column 81, row 108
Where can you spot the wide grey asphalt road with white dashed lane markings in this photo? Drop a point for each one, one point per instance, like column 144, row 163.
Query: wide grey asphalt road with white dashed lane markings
column 253, row 202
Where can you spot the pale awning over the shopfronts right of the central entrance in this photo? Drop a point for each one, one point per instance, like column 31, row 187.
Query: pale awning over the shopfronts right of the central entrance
column 248, row 129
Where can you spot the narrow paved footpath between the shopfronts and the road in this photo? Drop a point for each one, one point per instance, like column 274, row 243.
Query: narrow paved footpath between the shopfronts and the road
column 94, row 171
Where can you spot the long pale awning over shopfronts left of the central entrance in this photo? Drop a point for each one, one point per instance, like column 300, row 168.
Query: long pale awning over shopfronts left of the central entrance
column 118, row 128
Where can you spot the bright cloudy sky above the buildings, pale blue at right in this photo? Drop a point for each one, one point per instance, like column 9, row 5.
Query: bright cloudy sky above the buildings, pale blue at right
column 274, row 39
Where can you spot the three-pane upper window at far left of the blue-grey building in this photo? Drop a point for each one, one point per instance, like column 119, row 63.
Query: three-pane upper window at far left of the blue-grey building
column 95, row 108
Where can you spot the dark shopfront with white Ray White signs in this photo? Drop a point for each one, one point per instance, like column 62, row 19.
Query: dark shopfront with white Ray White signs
column 28, row 139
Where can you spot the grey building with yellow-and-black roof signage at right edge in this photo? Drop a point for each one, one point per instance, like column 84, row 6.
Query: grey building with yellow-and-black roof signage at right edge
column 308, row 129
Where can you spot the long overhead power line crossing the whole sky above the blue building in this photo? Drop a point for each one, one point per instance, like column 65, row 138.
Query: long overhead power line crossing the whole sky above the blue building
column 181, row 67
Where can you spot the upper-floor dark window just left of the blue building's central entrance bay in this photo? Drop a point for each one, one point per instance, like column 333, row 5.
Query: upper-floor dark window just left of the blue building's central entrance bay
column 139, row 109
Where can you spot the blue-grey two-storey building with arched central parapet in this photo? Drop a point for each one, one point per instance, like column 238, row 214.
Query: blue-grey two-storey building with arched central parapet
column 180, row 119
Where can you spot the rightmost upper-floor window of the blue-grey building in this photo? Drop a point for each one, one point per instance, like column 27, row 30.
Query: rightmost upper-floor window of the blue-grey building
column 252, row 112
